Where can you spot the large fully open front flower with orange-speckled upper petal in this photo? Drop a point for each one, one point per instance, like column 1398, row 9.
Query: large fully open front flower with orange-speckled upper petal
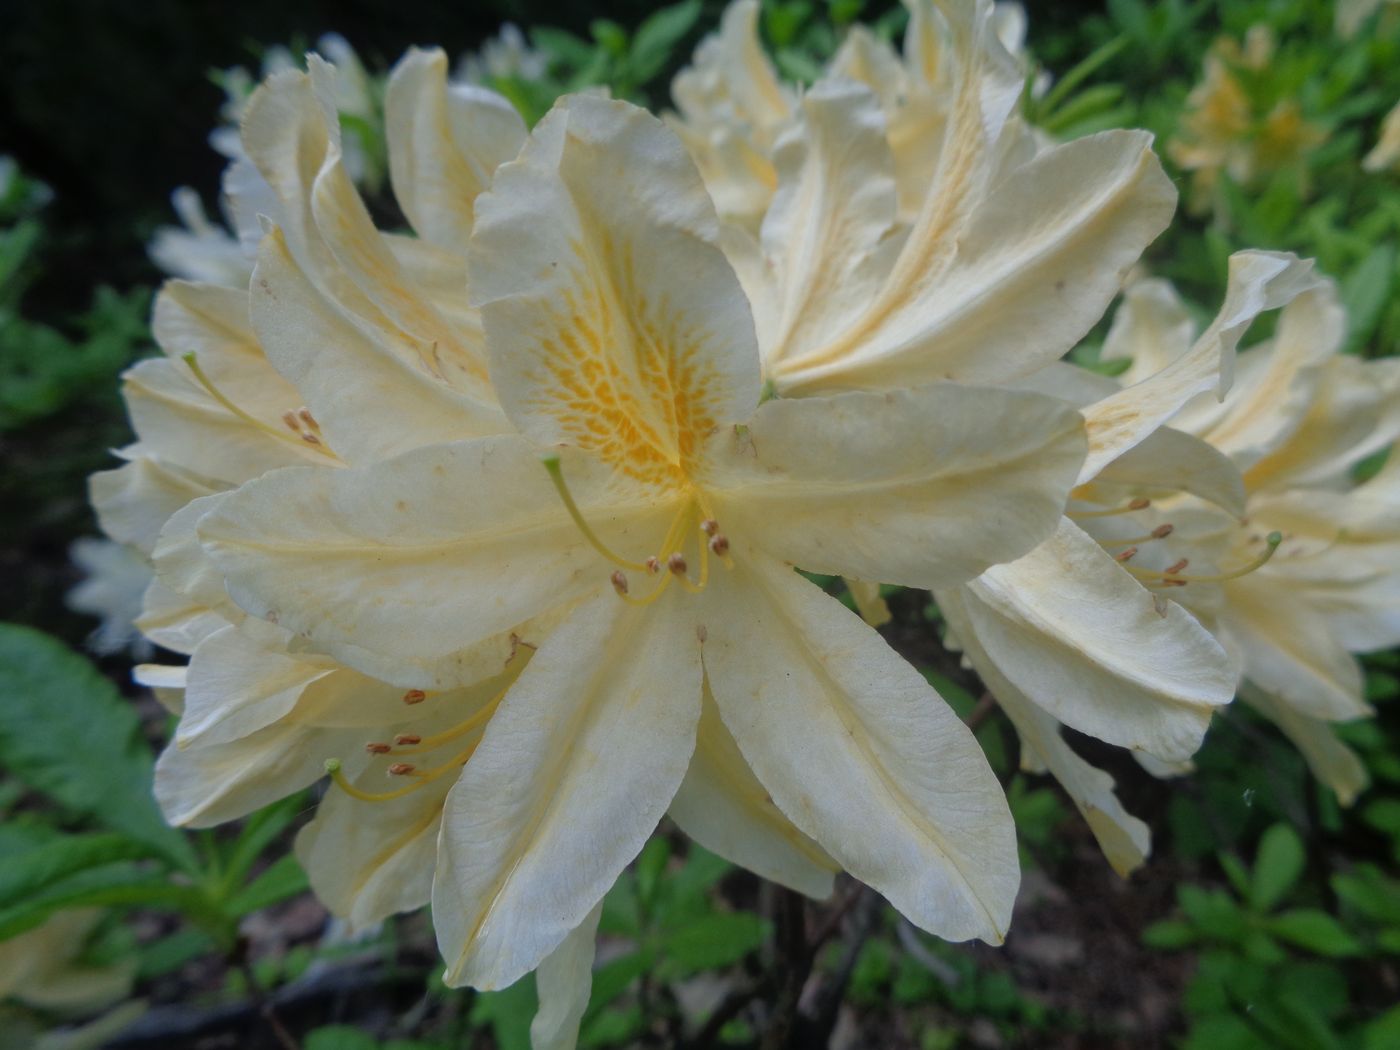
column 661, row 537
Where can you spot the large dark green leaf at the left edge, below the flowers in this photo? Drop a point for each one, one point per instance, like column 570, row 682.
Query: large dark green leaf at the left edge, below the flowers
column 66, row 731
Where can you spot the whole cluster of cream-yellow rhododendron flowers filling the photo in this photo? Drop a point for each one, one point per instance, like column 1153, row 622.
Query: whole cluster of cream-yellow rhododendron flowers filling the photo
column 496, row 520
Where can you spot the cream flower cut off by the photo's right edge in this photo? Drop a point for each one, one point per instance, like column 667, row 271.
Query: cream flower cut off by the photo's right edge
column 1322, row 551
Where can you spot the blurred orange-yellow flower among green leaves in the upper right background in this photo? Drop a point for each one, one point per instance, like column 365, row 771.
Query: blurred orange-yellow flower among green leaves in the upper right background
column 1223, row 134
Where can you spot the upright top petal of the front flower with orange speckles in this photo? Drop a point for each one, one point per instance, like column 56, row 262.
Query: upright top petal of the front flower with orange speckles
column 614, row 321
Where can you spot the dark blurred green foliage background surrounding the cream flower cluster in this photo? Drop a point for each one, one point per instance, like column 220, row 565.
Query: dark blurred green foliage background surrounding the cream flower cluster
column 106, row 110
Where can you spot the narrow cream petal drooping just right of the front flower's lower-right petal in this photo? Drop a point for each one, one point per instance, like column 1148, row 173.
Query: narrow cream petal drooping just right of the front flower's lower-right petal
column 1125, row 841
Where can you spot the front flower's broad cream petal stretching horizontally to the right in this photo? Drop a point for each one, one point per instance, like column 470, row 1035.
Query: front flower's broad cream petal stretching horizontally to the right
column 919, row 488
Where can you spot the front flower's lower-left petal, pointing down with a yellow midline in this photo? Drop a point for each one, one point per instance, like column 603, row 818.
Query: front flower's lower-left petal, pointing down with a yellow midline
column 580, row 762
